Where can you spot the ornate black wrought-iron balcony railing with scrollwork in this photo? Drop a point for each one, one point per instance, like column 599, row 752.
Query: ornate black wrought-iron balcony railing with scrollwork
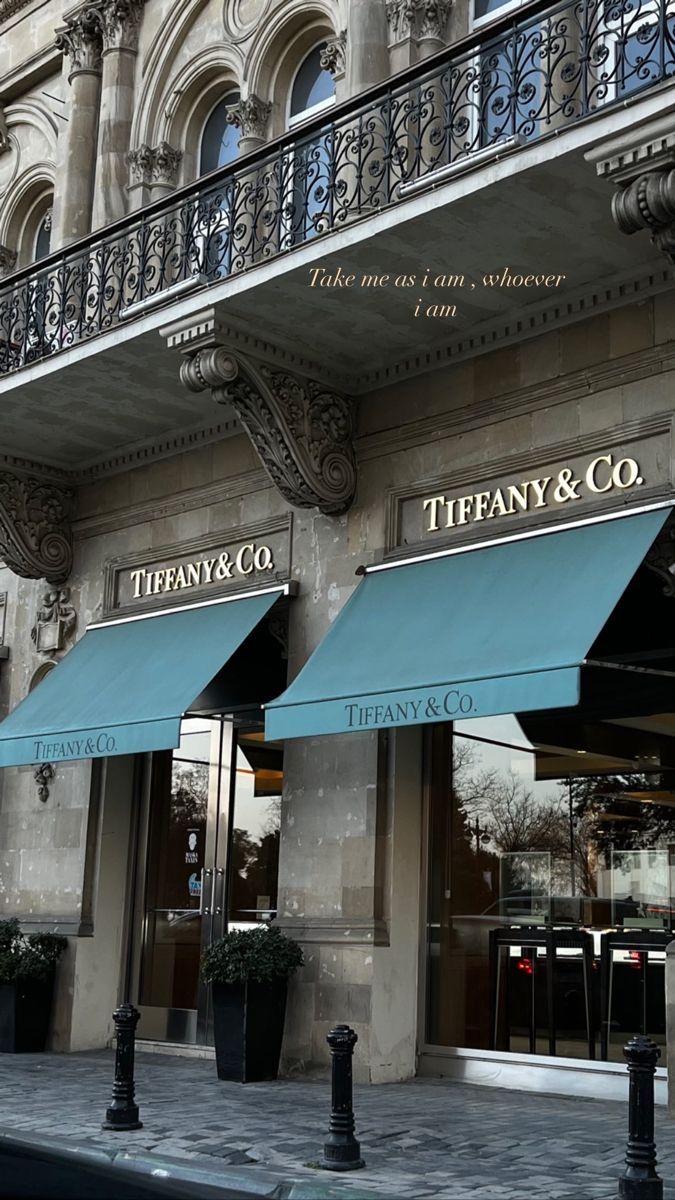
column 527, row 79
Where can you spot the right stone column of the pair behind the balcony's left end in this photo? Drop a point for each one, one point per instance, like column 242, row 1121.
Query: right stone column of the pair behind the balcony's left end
column 120, row 21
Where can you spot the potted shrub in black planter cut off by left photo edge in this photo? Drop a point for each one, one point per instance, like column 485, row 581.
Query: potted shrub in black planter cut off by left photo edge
column 27, row 986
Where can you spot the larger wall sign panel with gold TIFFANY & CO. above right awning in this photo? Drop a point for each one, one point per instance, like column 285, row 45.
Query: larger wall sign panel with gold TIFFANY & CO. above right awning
column 534, row 491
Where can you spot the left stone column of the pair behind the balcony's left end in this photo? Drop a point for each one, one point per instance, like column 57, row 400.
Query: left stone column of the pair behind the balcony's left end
column 81, row 41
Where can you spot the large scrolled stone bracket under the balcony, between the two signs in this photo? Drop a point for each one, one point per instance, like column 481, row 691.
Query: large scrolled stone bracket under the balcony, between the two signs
column 301, row 430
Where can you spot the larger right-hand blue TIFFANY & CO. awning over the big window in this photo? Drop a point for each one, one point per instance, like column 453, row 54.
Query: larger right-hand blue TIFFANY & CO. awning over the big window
column 500, row 629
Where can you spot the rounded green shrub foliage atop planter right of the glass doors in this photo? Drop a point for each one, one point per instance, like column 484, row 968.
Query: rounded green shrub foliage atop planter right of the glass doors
column 259, row 955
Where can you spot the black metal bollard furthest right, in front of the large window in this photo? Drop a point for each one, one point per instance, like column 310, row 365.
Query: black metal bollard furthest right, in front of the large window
column 640, row 1180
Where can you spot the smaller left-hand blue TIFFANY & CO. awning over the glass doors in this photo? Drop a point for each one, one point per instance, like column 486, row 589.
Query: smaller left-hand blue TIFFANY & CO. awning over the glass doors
column 126, row 686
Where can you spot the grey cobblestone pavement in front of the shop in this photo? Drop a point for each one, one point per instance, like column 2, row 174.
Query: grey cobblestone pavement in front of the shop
column 426, row 1138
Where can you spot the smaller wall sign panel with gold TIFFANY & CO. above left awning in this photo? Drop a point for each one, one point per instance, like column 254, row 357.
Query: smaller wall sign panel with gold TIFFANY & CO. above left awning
column 210, row 567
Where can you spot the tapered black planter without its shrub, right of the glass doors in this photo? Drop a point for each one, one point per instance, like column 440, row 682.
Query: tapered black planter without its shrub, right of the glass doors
column 248, row 1030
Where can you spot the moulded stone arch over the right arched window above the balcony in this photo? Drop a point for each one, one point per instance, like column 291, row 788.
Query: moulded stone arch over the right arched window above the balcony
column 277, row 55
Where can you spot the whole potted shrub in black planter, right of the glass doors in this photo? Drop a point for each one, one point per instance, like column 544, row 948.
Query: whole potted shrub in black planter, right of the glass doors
column 249, row 973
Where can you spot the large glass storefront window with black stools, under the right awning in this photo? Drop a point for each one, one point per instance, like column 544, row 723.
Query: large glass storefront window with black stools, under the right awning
column 551, row 884
